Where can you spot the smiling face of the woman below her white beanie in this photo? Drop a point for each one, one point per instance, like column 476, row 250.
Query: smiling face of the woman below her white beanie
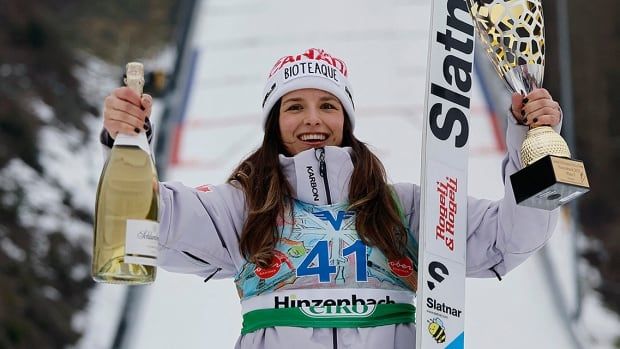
column 310, row 118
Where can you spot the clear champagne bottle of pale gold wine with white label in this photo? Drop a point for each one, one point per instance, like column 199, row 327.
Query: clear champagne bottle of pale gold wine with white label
column 126, row 227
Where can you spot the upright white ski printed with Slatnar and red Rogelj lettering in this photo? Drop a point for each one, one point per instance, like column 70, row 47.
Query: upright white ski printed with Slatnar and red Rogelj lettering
column 443, row 229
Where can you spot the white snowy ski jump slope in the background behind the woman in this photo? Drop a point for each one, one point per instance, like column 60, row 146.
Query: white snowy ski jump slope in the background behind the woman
column 235, row 43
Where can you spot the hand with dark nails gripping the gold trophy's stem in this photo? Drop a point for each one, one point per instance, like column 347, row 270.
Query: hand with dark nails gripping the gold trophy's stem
column 537, row 109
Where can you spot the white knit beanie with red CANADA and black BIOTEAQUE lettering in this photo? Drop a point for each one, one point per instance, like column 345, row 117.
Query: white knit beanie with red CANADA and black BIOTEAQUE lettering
column 313, row 68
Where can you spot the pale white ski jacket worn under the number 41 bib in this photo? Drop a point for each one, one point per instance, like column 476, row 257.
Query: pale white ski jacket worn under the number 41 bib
column 200, row 231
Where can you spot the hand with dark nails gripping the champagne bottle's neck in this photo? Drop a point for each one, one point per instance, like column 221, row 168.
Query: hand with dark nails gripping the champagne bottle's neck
column 125, row 112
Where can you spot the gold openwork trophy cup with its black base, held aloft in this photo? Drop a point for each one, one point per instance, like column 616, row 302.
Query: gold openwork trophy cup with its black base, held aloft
column 512, row 31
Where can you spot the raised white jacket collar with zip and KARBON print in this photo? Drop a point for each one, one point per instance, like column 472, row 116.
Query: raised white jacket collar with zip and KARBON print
column 303, row 172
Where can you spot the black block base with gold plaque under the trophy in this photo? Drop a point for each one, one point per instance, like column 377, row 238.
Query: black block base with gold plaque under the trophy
column 550, row 182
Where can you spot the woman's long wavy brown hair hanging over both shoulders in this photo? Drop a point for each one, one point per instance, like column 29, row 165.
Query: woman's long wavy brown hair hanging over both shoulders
column 268, row 193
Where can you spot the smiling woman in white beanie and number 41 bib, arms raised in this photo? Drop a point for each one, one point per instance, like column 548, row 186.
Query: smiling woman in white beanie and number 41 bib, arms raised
column 322, row 249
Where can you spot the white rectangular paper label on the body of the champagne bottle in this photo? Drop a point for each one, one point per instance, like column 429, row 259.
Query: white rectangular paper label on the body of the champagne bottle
column 141, row 241
